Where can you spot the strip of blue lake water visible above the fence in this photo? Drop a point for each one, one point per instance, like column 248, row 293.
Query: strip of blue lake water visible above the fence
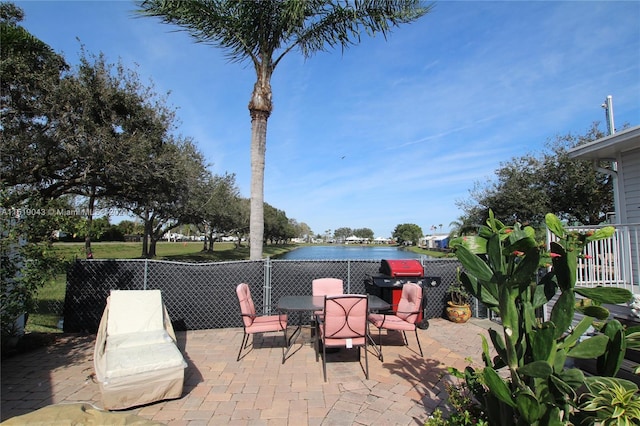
column 339, row 252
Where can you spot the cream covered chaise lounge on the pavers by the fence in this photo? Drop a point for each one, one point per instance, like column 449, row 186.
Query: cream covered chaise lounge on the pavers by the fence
column 136, row 358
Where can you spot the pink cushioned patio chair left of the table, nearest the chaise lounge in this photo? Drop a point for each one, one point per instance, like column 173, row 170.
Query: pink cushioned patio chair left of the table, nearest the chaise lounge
column 253, row 323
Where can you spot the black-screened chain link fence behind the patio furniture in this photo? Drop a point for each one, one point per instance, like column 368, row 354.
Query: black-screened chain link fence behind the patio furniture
column 202, row 296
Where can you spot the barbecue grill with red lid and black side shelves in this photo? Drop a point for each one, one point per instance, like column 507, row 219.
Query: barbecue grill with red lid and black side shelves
column 394, row 275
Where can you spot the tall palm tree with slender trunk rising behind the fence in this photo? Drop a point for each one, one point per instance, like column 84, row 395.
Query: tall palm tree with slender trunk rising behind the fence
column 263, row 32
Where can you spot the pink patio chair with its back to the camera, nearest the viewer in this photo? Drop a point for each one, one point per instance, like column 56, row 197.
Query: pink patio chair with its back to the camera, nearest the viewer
column 343, row 325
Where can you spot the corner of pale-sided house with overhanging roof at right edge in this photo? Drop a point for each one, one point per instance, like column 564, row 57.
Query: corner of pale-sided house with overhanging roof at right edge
column 619, row 263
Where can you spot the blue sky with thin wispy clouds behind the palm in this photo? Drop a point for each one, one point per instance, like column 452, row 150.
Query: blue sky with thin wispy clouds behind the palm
column 389, row 132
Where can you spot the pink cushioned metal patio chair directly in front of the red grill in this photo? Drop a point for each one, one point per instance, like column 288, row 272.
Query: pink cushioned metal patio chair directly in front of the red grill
column 405, row 317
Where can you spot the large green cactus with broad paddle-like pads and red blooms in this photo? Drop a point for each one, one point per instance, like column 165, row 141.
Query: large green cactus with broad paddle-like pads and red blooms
column 529, row 382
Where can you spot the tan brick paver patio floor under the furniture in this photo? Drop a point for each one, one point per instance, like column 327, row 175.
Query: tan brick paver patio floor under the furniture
column 259, row 389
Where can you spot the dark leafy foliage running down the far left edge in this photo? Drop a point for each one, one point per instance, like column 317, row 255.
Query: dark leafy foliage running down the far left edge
column 30, row 70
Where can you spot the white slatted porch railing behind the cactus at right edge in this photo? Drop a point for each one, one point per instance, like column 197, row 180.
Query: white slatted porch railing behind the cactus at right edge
column 613, row 262
